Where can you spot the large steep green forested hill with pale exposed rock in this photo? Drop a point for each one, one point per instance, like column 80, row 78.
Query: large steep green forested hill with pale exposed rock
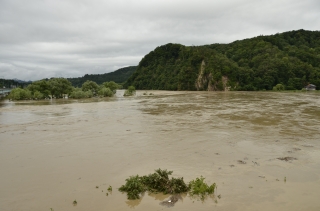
column 260, row 63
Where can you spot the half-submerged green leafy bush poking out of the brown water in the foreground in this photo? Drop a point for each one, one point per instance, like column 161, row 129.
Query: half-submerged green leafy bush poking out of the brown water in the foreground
column 160, row 182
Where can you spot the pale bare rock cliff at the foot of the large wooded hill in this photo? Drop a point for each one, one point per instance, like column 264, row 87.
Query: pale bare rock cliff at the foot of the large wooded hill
column 205, row 81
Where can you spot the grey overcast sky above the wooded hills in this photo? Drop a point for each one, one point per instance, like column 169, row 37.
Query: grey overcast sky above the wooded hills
column 70, row 38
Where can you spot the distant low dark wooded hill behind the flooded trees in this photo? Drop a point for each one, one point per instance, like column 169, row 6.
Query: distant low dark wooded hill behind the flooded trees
column 118, row 76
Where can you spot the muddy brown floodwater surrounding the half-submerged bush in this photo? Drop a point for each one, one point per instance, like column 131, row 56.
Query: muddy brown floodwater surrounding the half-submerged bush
column 55, row 152
